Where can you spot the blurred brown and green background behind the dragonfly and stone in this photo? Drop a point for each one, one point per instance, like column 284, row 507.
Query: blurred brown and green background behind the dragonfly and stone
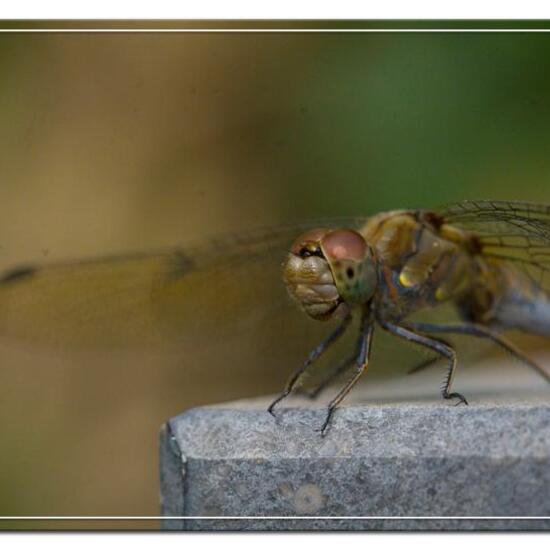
column 117, row 142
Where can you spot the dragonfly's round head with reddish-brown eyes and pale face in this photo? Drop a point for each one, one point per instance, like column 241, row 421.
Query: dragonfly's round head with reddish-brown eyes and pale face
column 327, row 269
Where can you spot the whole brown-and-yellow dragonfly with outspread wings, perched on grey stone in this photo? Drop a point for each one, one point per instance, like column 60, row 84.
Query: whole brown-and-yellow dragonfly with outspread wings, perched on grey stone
column 488, row 259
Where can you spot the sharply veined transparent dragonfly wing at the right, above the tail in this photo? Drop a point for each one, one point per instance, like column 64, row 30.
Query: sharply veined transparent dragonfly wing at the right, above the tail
column 518, row 232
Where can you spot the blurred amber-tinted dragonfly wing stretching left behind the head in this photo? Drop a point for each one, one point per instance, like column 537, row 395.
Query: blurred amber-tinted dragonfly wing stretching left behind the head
column 161, row 300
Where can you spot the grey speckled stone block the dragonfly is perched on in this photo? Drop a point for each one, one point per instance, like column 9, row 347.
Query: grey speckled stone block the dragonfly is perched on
column 401, row 459
